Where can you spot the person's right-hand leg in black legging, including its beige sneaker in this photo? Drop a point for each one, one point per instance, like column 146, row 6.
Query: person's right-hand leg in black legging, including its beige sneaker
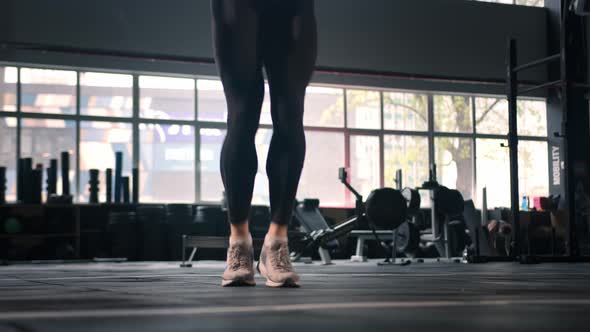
column 289, row 54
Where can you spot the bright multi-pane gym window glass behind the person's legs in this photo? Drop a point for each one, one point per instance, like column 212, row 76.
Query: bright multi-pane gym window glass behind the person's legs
column 374, row 132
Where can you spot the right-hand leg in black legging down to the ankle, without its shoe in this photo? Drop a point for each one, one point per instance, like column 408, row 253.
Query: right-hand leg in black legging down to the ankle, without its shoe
column 289, row 63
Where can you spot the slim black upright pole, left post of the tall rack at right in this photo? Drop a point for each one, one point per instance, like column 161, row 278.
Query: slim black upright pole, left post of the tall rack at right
column 512, row 93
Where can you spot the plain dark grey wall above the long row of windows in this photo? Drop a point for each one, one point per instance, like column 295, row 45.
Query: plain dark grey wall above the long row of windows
column 431, row 37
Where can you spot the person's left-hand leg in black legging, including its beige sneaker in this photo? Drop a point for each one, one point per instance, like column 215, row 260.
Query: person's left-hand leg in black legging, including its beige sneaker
column 235, row 36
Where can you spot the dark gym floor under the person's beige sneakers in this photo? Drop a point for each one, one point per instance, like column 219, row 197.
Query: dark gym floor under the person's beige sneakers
column 342, row 297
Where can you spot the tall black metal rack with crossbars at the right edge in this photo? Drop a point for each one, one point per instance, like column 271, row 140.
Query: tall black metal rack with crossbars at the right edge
column 572, row 88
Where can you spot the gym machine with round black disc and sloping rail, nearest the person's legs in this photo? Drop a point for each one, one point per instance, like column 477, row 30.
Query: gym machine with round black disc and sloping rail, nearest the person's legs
column 384, row 208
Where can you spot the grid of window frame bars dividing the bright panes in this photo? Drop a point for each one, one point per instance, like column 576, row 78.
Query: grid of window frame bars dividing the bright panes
column 135, row 120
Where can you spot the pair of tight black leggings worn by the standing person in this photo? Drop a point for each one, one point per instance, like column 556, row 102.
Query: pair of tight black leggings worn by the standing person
column 281, row 36
